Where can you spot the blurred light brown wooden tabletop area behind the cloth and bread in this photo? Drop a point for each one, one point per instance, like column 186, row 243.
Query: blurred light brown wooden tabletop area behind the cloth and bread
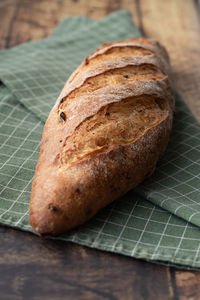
column 174, row 22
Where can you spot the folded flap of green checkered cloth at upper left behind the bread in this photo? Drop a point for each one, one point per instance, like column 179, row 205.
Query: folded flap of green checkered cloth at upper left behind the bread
column 44, row 61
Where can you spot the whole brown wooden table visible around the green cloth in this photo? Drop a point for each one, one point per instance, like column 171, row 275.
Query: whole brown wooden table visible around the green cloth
column 33, row 268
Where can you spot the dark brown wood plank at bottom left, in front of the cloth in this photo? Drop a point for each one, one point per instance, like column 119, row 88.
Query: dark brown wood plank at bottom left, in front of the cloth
column 34, row 268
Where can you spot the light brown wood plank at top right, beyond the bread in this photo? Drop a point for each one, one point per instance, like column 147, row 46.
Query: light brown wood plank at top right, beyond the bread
column 176, row 24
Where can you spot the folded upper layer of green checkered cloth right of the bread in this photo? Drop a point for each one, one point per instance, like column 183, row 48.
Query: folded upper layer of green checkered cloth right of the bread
column 157, row 188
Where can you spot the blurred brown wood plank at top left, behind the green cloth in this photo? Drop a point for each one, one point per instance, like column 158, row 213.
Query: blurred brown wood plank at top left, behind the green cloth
column 24, row 20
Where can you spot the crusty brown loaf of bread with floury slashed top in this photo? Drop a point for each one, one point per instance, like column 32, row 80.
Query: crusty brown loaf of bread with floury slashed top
column 105, row 134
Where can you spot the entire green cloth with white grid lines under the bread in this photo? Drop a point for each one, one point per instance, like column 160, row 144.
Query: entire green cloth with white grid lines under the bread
column 159, row 220
